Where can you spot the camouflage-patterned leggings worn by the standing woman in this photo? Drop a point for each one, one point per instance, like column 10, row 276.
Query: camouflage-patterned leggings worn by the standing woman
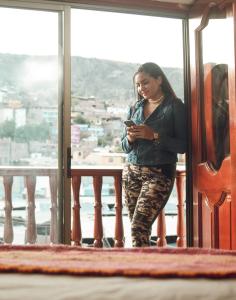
column 147, row 191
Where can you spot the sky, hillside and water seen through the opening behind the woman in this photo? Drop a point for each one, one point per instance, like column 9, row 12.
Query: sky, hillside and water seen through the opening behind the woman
column 107, row 48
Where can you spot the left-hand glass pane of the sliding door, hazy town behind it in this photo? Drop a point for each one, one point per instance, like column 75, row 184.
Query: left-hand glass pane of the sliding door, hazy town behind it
column 29, row 112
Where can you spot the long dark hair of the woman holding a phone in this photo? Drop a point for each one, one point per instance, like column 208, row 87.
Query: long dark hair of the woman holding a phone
column 155, row 71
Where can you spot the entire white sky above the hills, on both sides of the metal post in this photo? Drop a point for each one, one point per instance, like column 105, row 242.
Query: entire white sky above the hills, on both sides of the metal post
column 106, row 35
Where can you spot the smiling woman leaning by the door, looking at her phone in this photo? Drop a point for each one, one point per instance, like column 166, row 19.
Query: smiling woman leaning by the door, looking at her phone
column 152, row 144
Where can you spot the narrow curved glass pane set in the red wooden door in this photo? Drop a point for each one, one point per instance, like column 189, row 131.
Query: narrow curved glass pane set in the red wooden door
column 216, row 54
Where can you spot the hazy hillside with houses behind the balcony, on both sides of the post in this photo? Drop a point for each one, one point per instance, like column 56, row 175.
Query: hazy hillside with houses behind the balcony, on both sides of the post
column 30, row 99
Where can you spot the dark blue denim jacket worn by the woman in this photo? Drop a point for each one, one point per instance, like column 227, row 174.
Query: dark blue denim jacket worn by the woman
column 169, row 121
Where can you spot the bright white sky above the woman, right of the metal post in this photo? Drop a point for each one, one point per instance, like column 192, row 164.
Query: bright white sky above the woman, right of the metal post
column 126, row 37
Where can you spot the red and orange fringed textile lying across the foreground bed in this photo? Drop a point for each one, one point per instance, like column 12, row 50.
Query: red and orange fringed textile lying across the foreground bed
column 149, row 262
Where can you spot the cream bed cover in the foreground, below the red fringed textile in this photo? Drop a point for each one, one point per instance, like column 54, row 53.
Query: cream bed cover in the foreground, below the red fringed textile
column 62, row 287
